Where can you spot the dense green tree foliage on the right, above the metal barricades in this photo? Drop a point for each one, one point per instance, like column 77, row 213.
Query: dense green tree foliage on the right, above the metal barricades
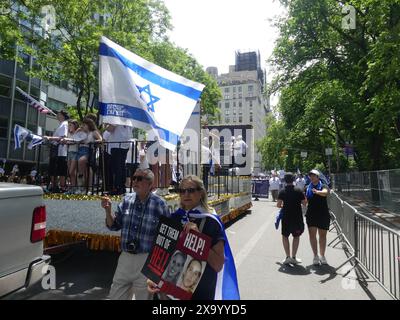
column 340, row 85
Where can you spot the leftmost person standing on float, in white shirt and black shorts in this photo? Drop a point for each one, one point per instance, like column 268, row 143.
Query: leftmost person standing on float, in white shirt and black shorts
column 58, row 153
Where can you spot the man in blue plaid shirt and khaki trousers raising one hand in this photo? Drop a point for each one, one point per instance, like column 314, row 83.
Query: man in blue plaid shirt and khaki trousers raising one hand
column 137, row 217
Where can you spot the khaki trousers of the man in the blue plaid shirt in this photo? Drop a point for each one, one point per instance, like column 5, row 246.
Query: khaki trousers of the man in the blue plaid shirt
column 128, row 280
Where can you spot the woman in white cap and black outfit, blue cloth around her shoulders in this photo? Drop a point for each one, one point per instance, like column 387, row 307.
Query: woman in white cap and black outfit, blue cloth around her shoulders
column 317, row 216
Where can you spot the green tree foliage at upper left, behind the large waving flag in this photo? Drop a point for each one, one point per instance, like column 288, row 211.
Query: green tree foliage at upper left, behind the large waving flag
column 70, row 51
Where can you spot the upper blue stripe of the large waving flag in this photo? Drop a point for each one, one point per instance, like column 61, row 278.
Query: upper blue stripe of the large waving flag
column 176, row 87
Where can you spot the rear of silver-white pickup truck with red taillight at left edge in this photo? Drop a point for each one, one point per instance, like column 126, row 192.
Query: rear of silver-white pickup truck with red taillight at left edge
column 22, row 230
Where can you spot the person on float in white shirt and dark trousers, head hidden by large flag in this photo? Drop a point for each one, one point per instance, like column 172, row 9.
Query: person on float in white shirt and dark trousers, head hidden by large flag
column 119, row 145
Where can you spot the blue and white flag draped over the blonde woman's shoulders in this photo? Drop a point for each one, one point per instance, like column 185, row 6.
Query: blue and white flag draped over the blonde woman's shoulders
column 227, row 287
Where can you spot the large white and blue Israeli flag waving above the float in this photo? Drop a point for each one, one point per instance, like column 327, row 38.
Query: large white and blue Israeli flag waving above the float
column 138, row 93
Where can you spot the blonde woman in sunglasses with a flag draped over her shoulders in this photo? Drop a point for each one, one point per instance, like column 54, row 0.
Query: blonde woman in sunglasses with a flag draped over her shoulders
column 218, row 281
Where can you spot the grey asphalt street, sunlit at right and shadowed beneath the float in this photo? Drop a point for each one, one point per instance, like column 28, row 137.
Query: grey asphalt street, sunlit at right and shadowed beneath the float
column 258, row 251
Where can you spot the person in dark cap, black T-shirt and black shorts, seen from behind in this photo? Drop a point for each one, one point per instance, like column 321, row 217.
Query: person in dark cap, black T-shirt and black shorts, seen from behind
column 290, row 200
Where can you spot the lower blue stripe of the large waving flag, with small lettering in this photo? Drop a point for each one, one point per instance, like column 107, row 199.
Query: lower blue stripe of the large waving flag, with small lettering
column 137, row 114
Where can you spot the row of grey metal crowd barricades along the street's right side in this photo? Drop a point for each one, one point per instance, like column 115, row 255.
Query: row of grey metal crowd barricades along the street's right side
column 376, row 247
